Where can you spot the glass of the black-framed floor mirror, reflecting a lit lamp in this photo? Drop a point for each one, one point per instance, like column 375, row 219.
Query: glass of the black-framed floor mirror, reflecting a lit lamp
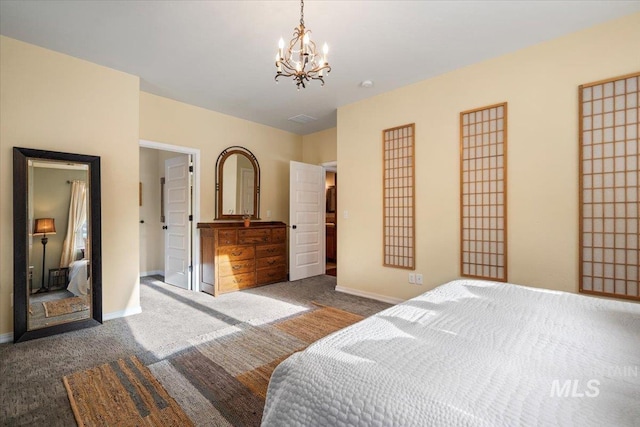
column 59, row 283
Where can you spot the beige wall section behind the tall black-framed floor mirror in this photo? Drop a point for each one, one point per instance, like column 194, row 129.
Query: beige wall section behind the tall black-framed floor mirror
column 55, row 102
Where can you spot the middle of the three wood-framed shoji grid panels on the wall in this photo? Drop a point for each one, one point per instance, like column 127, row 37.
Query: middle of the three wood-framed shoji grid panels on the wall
column 483, row 192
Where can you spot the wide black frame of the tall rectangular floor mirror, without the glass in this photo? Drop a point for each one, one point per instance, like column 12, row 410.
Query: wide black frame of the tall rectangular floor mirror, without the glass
column 21, row 156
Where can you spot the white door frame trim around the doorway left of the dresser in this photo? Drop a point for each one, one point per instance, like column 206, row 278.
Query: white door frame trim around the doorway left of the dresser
column 195, row 238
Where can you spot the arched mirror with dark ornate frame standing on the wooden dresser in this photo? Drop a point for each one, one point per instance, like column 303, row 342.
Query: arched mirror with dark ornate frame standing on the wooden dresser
column 237, row 184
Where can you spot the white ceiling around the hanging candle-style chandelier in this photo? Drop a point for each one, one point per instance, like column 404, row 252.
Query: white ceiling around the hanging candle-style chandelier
column 220, row 54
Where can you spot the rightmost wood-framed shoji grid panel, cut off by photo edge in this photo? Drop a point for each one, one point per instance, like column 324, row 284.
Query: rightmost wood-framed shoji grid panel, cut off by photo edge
column 609, row 189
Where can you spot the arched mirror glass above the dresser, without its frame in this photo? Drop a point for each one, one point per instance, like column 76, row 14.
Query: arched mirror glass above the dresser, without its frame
column 238, row 186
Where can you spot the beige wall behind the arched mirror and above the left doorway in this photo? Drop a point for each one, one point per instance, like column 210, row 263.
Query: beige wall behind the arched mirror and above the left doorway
column 171, row 122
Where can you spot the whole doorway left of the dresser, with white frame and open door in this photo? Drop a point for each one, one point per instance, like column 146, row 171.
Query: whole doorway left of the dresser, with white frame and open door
column 169, row 206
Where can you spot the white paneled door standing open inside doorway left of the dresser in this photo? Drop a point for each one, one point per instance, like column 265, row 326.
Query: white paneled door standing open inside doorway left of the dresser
column 177, row 237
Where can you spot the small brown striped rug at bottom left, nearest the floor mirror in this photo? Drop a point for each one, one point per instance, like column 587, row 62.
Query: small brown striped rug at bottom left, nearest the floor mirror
column 122, row 393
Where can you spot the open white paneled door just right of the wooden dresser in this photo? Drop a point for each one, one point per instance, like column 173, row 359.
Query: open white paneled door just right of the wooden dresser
column 307, row 216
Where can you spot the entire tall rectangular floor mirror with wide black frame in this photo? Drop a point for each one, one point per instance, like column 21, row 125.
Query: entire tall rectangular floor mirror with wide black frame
column 57, row 243
